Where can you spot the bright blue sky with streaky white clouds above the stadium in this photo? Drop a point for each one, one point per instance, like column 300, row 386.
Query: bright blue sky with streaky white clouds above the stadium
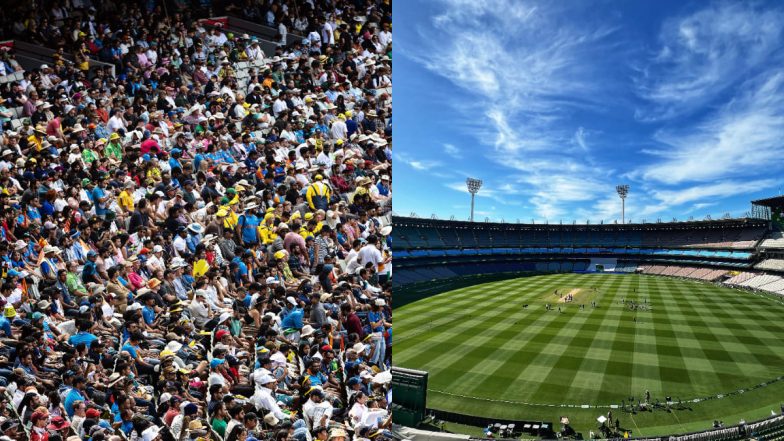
column 552, row 104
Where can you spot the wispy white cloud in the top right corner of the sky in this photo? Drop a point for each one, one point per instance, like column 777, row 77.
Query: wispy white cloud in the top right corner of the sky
column 704, row 53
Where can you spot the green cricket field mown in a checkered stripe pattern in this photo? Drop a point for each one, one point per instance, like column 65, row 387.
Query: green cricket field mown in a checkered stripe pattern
column 487, row 355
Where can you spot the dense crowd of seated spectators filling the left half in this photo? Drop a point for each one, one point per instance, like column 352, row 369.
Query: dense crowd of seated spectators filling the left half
column 186, row 255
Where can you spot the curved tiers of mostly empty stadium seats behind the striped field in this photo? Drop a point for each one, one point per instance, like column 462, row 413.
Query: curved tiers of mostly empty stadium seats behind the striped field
column 712, row 251
